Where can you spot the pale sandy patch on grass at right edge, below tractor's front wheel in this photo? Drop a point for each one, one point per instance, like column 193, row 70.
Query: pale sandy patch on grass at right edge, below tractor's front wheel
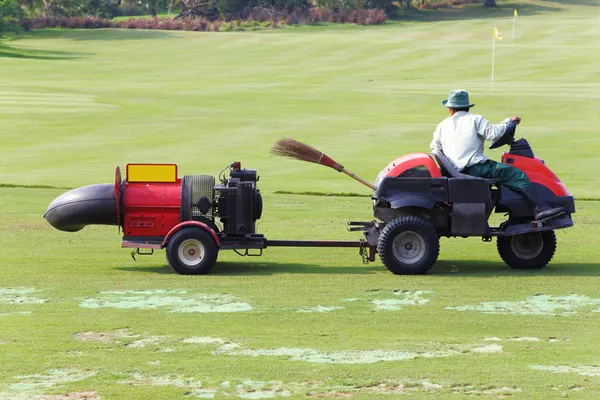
column 533, row 305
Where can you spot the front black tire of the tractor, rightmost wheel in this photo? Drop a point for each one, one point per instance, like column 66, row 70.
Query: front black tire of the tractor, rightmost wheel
column 527, row 251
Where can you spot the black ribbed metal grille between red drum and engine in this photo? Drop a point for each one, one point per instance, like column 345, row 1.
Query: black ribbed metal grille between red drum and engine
column 193, row 188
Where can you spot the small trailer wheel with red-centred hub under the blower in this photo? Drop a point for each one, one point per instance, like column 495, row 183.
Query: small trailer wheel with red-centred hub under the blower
column 192, row 251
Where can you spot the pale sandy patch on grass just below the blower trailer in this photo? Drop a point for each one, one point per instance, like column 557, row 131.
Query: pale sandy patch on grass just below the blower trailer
column 166, row 299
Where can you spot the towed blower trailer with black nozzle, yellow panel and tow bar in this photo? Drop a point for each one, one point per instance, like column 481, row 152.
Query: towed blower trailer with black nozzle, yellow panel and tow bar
column 193, row 217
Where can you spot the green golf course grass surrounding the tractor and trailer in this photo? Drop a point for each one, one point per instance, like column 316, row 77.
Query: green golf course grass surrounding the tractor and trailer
column 79, row 319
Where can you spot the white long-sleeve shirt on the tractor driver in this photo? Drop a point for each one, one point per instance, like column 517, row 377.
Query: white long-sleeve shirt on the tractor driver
column 461, row 137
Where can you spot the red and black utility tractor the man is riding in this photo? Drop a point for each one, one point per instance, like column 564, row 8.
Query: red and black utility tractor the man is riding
column 419, row 201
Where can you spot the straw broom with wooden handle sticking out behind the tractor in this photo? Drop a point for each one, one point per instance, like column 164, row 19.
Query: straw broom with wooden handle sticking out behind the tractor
column 291, row 148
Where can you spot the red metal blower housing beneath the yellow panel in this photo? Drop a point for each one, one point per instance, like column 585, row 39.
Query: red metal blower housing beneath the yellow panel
column 151, row 209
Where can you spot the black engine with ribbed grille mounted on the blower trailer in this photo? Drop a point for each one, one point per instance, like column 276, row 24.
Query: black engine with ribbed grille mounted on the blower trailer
column 235, row 202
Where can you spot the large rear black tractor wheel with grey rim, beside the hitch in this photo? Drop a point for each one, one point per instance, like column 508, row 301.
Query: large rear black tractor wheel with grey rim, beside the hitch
column 408, row 245
